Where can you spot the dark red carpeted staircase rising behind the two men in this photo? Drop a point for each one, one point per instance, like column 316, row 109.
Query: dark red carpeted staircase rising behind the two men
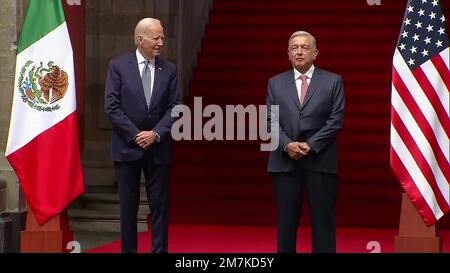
column 245, row 44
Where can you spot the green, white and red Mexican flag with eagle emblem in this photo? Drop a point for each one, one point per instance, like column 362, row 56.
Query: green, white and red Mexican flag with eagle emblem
column 43, row 146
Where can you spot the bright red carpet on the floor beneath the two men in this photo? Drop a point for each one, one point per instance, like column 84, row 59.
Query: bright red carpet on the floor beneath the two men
column 260, row 239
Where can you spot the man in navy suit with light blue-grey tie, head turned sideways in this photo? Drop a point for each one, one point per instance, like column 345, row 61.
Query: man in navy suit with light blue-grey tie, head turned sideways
column 141, row 90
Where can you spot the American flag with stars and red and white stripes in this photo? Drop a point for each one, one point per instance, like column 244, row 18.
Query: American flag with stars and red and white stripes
column 420, row 119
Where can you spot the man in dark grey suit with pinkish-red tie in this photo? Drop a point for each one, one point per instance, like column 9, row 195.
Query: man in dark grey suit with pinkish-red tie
column 311, row 110
